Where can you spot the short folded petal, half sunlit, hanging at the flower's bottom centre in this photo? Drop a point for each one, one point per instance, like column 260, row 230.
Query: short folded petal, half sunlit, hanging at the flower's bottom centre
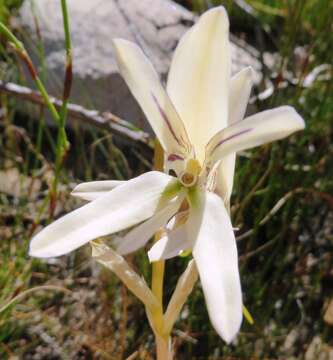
column 170, row 245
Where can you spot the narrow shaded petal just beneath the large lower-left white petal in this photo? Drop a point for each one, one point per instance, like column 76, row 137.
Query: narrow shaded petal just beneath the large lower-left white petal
column 139, row 236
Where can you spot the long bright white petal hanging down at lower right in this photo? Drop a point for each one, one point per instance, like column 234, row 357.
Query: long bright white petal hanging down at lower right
column 215, row 253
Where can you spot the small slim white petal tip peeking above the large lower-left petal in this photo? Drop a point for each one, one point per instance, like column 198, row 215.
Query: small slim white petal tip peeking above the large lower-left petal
column 94, row 189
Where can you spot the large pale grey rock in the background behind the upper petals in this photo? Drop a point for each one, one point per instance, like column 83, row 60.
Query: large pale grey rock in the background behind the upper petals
column 156, row 25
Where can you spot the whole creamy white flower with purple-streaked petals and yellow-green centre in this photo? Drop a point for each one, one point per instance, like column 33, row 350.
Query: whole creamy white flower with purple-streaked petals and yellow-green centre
column 199, row 123
